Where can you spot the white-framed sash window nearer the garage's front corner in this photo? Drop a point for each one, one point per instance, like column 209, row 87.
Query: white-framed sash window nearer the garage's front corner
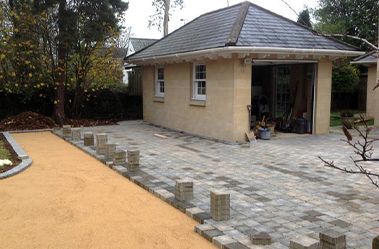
column 199, row 87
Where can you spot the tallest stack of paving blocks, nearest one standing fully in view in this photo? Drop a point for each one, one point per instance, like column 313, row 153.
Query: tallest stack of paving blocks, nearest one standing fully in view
column 220, row 205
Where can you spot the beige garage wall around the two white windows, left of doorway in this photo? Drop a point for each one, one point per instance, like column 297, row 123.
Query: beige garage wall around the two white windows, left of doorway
column 223, row 117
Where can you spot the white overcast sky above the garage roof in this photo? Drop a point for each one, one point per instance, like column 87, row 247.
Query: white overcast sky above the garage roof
column 139, row 11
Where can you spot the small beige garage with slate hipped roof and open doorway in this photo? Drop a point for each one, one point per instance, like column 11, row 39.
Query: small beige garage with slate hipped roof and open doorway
column 225, row 69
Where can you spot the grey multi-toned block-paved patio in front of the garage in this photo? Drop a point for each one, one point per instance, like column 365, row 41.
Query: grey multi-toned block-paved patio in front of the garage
column 278, row 186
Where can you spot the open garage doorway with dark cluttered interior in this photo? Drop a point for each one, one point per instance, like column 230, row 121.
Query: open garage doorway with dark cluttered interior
column 283, row 94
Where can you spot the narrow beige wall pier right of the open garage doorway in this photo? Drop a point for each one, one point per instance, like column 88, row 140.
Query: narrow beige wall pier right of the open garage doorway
column 323, row 97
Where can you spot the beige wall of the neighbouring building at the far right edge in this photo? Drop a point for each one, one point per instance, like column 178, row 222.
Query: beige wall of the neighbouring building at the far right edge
column 372, row 108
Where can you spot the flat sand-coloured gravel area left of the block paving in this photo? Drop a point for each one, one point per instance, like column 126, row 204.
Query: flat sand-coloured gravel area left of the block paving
column 67, row 199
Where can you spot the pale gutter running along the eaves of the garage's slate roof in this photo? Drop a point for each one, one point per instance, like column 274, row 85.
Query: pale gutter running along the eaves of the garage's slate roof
column 258, row 50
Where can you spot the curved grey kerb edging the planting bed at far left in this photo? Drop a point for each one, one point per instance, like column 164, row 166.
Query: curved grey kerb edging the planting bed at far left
column 26, row 161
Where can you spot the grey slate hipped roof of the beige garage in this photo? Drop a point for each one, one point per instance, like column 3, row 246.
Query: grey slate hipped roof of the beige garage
column 241, row 25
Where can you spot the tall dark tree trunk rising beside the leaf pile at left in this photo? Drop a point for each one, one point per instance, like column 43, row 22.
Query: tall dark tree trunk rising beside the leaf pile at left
column 59, row 113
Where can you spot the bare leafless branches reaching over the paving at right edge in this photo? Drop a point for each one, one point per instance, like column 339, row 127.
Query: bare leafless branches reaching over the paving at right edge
column 363, row 148
